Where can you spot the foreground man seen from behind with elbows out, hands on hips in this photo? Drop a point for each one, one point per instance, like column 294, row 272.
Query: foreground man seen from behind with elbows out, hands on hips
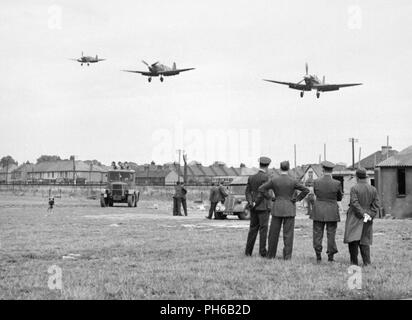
column 283, row 210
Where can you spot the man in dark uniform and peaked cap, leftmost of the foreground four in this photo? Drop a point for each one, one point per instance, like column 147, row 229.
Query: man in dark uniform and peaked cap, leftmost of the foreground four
column 259, row 214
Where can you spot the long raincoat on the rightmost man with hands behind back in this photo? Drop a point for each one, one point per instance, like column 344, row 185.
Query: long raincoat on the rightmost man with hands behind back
column 363, row 199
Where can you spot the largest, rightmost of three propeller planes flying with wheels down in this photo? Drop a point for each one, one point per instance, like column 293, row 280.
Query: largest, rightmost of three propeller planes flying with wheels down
column 313, row 82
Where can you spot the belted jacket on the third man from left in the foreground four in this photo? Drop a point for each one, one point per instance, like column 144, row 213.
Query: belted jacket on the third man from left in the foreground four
column 328, row 192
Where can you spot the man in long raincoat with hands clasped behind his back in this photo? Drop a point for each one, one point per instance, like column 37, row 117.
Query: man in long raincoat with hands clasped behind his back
column 363, row 207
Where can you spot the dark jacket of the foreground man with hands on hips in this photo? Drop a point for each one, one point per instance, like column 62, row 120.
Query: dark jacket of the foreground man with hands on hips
column 284, row 189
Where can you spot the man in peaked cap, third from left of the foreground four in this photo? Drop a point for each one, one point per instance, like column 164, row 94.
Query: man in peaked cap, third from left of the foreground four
column 328, row 192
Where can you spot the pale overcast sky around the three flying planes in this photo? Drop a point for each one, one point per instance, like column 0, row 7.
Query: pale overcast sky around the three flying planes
column 220, row 111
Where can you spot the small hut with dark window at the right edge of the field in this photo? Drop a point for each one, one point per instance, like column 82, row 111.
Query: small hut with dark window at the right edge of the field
column 394, row 184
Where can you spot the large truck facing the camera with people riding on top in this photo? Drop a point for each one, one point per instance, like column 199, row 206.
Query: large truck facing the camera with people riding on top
column 121, row 188
